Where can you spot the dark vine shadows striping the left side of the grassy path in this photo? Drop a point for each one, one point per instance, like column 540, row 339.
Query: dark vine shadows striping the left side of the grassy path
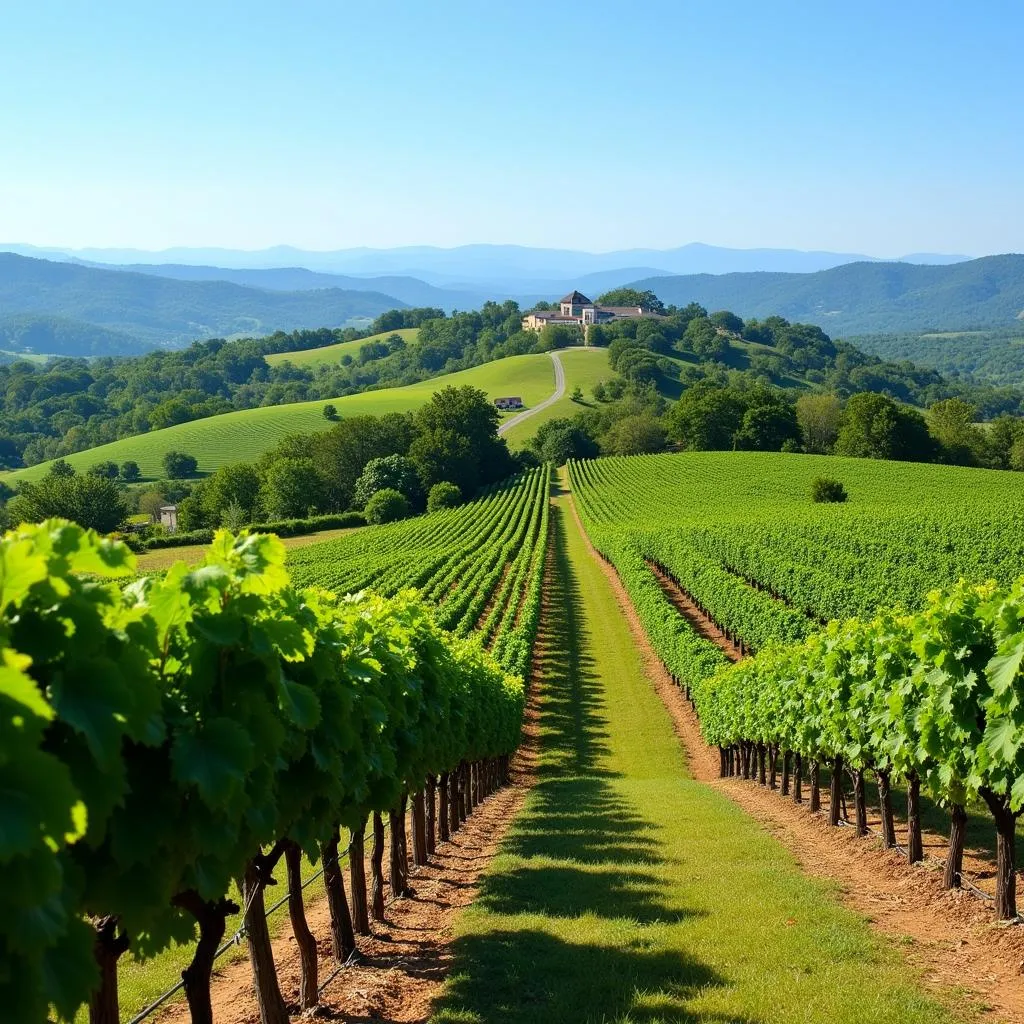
column 581, row 862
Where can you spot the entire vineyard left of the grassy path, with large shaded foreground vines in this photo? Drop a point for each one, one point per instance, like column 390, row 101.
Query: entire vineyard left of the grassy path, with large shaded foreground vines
column 182, row 733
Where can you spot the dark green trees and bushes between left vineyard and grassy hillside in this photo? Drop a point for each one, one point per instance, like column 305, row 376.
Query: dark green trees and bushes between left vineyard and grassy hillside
column 387, row 467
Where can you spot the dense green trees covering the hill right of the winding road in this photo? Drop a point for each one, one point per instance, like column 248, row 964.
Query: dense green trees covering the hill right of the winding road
column 773, row 386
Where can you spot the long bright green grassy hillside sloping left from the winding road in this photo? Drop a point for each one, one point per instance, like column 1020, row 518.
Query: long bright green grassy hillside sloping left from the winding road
column 245, row 436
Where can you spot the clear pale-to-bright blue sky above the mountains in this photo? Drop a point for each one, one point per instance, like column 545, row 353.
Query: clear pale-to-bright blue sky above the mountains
column 877, row 127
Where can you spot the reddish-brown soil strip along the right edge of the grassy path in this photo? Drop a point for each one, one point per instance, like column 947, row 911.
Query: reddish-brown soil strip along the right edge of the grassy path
column 951, row 937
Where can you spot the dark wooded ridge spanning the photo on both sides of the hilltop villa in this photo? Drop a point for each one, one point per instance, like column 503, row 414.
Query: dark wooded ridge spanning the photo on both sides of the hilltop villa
column 71, row 405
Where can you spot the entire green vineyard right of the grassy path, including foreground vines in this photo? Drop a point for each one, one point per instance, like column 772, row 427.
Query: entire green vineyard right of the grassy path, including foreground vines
column 917, row 677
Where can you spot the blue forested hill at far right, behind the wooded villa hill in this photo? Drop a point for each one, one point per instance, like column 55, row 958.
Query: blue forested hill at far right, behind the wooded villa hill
column 866, row 298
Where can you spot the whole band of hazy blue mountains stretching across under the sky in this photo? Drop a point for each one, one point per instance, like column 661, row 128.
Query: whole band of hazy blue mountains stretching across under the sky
column 66, row 306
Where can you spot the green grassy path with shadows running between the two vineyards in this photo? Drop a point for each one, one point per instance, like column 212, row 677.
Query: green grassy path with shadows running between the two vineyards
column 628, row 892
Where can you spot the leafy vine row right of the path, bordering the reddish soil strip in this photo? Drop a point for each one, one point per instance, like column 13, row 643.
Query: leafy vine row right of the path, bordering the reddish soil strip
column 930, row 699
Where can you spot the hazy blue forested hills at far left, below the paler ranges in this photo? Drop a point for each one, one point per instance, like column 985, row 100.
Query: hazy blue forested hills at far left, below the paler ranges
column 71, row 310
